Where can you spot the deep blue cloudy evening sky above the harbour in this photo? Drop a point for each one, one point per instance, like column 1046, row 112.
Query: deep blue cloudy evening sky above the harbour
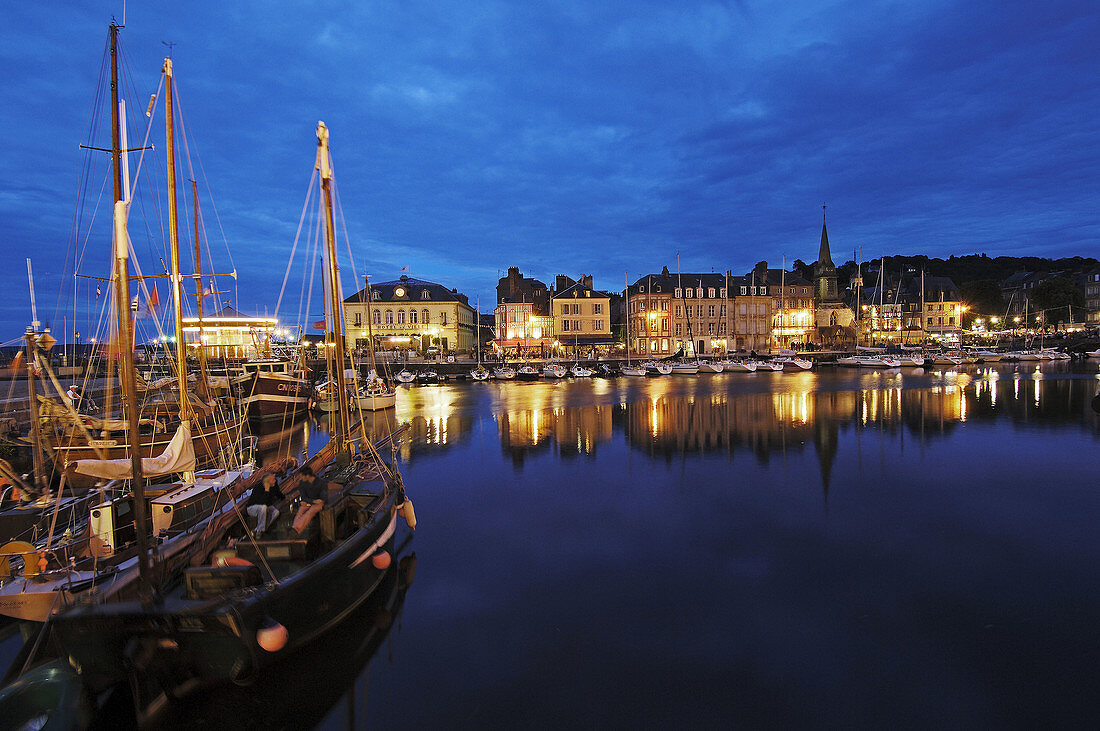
column 570, row 137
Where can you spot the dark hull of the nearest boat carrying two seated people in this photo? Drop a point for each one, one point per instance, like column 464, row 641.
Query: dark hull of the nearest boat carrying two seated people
column 184, row 644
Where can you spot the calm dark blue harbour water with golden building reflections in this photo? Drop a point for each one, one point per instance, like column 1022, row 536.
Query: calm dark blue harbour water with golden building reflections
column 833, row 549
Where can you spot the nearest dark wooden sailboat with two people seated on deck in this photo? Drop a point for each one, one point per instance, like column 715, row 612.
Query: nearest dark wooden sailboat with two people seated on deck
column 259, row 599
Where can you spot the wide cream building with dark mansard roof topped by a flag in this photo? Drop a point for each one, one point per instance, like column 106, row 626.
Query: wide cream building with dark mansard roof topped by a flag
column 413, row 314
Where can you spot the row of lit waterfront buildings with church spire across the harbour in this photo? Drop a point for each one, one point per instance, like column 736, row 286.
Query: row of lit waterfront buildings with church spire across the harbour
column 664, row 314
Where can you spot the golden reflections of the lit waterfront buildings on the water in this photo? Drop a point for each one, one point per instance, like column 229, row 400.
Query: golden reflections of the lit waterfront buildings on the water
column 672, row 417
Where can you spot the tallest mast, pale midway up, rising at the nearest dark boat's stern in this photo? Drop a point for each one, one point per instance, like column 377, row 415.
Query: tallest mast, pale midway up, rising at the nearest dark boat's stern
column 122, row 274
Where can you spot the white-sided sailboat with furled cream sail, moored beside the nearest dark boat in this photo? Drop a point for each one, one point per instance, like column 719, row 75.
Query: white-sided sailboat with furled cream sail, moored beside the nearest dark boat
column 112, row 559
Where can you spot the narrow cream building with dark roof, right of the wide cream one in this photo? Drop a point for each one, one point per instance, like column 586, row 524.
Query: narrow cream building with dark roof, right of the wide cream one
column 581, row 317
